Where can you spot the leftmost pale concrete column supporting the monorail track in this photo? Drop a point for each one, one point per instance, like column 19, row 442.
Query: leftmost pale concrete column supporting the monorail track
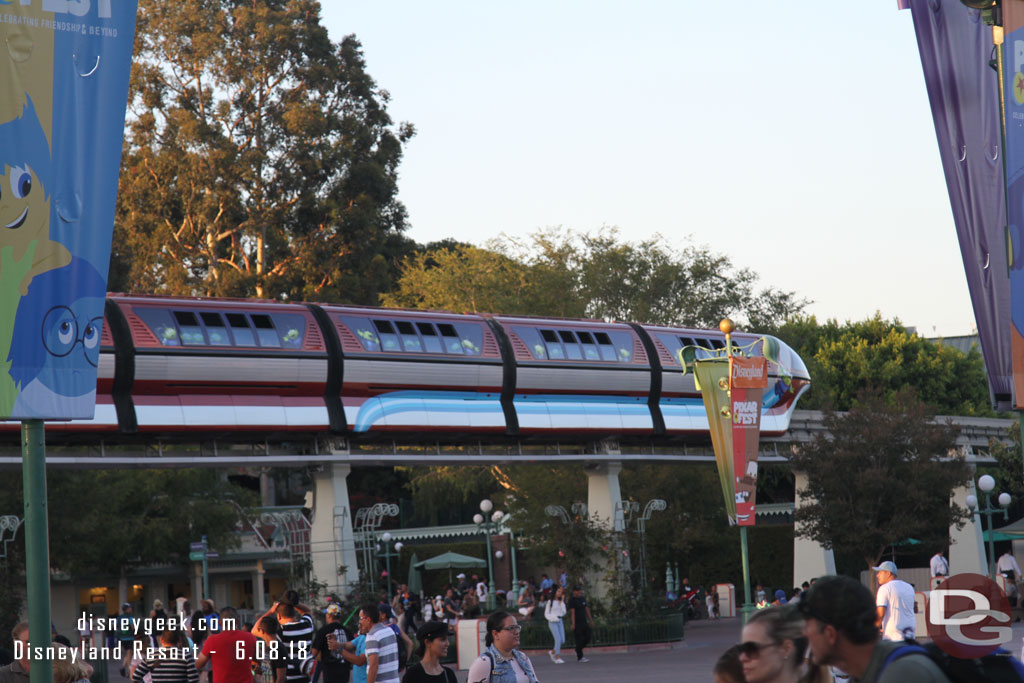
column 333, row 544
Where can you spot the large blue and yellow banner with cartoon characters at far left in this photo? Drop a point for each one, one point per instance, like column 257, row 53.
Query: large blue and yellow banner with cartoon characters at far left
column 64, row 89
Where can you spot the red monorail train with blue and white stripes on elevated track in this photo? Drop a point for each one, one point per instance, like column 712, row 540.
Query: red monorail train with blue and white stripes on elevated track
column 188, row 367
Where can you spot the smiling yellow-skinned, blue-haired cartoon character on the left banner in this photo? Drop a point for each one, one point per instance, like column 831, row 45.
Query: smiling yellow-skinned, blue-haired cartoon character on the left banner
column 26, row 247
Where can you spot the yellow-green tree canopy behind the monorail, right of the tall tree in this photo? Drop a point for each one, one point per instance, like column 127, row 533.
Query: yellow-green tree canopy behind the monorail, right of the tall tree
column 579, row 275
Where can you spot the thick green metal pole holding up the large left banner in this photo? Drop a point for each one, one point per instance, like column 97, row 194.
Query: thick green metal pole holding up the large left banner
column 37, row 562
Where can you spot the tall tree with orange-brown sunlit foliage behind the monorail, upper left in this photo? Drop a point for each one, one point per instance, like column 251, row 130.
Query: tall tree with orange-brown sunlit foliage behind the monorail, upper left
column 260, row 158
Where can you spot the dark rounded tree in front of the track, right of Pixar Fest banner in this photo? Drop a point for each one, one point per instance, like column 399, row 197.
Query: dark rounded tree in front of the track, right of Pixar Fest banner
column 885, row 473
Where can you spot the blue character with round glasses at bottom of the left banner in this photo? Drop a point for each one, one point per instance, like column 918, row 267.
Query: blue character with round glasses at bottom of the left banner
column 58, row 350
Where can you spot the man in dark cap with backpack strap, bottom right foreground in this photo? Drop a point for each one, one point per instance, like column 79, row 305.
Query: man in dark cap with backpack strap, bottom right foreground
column 839, row 626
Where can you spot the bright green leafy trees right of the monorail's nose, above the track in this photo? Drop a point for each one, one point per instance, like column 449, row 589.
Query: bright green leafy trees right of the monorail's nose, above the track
column 845, row 360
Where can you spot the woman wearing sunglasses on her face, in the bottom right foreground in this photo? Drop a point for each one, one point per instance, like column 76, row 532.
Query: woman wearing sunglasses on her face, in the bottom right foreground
column 774, row 648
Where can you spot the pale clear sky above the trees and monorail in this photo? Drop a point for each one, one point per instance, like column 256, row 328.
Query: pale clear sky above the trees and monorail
column 794, row 138
